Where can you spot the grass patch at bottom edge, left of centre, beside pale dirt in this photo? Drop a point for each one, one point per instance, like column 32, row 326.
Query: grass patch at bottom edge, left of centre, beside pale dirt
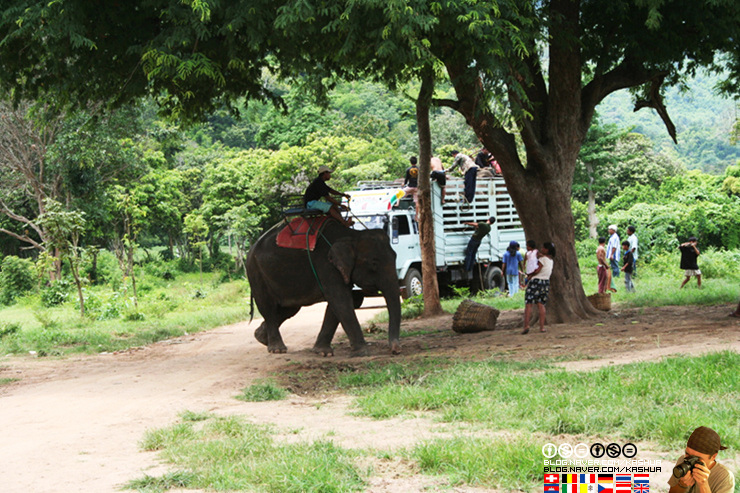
column 234, row 455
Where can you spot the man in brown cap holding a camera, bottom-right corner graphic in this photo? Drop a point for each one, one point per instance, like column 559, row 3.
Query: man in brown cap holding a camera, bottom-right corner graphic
column 709, row 477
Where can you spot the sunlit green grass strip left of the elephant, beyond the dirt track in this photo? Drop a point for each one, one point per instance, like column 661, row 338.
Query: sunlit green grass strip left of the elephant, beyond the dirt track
column 112, row 322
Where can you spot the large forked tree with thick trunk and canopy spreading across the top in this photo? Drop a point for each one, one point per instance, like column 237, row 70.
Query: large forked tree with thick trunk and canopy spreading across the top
column 536, row 69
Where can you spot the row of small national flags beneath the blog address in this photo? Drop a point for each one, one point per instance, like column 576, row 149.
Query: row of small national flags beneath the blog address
column 597, row 483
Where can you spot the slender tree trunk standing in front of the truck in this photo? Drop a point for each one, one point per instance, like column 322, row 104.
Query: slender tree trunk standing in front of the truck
column 432, row 305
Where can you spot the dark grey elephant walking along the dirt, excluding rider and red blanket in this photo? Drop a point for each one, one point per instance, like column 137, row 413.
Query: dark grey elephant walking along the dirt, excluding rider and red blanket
column 283, row 280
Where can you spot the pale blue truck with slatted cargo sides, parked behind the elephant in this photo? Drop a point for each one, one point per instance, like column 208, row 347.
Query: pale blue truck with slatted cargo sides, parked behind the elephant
column 376, row 205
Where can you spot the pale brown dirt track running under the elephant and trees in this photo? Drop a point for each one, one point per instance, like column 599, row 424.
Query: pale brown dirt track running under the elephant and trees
column 73, row 425
